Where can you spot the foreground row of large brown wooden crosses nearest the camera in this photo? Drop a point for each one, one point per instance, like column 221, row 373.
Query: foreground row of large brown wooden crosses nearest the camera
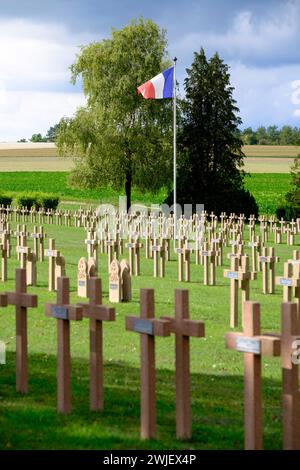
column 251, row 342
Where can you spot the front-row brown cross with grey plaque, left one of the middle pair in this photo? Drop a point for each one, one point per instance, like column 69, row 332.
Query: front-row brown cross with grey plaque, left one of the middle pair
column 148, row 327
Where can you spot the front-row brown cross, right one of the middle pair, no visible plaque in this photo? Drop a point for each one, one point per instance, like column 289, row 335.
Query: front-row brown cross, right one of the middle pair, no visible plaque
column 183, row 328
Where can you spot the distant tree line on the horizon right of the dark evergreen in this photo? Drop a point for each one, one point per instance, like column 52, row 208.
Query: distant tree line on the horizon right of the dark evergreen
column 271, row 135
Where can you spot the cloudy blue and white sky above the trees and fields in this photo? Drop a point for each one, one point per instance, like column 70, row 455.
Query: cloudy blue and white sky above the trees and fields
column 39, row 40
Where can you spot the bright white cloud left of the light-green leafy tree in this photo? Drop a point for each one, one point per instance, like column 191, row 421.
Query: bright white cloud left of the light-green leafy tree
column 35, row 89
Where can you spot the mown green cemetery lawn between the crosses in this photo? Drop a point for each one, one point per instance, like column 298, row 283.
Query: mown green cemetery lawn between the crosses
column 31, row 421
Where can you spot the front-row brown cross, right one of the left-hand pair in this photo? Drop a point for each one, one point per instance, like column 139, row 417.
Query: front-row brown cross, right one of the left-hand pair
column 97, row 313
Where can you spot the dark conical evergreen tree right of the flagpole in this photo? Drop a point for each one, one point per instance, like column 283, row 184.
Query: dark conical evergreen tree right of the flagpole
column 210, row 149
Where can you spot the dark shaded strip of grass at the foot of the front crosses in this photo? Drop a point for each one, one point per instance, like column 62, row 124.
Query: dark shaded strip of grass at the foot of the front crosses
column 31, row 421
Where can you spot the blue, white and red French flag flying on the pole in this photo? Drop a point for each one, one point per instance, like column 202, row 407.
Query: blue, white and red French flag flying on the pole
column 158, row 87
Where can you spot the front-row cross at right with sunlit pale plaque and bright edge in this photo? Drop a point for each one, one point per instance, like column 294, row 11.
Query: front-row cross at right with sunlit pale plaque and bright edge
column 253, row 345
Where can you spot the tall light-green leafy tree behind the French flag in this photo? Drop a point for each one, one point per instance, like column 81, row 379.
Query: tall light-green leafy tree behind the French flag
column 118, row 138
